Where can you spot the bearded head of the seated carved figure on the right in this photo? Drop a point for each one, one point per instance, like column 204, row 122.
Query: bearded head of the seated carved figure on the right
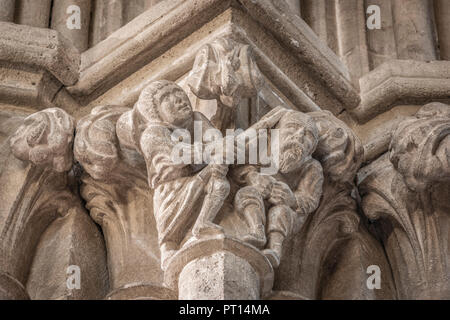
column 298, row 140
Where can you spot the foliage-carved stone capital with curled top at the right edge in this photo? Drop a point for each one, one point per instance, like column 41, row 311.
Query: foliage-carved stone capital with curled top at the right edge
column 406, row 193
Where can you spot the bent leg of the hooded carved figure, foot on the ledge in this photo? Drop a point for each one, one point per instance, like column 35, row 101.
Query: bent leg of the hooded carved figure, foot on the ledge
column 218, row 189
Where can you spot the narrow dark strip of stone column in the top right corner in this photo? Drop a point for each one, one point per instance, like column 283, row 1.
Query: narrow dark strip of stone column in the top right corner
column 442, row 13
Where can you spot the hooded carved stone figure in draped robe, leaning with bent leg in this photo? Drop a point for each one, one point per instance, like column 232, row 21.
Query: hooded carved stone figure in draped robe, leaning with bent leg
column 162, row 108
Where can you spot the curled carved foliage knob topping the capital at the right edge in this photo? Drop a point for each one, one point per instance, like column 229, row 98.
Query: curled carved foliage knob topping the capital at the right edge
column 420, row 147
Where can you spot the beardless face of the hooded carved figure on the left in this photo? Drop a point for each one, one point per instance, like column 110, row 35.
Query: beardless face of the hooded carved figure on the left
column 175, row 107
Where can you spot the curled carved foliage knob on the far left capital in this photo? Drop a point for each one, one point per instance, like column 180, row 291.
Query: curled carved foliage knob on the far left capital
column 46, row 138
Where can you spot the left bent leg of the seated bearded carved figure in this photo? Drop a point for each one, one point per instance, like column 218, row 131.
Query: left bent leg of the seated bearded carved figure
column 250, row 204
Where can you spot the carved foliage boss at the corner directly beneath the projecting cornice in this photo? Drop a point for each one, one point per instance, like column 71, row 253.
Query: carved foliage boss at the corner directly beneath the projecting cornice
column 225, row 70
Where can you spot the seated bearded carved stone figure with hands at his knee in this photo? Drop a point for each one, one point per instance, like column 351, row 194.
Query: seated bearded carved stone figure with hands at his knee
column 291, row 194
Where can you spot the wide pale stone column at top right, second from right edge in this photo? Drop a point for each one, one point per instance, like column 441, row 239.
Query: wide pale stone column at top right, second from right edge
column 413, row 30
